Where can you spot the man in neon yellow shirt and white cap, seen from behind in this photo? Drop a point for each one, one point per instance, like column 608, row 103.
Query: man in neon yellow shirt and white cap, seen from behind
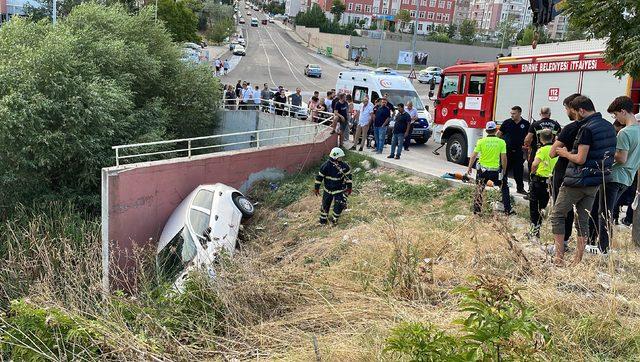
column 491, row 153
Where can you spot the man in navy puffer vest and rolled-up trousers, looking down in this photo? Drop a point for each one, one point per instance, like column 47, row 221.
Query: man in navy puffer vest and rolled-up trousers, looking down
column 590, row 162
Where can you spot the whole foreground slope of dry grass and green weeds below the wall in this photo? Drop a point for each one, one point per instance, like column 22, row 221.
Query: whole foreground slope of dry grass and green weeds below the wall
column 385, row 284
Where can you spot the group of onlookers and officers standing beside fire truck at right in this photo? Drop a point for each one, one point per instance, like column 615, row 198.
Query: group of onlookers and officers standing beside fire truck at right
column 589, row 169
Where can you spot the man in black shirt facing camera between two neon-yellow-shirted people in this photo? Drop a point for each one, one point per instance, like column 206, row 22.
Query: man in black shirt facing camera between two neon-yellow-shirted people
column 513, row 131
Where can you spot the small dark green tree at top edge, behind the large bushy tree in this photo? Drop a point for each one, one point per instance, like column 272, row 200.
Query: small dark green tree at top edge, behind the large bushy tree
column 181, row 22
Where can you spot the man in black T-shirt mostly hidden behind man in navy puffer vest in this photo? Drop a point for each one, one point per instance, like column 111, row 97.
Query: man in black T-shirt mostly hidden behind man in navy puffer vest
column 566, row 138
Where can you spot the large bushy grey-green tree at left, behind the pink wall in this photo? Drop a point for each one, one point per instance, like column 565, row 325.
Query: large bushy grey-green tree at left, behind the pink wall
column 101, row 77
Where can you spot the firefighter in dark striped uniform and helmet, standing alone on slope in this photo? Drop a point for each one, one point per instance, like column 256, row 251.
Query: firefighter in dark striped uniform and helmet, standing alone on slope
column 336, row 176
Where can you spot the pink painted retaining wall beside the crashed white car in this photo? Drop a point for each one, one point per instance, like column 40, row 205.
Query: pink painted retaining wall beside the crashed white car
column 141, row 198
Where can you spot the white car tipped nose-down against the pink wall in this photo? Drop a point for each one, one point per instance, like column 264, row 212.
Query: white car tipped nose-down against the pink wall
column 203, row 226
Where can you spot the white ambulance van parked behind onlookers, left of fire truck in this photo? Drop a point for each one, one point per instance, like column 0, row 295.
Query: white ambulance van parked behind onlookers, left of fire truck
column 386, row 82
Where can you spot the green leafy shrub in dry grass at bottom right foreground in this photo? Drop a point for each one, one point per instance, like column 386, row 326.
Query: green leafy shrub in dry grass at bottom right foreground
column 498, row 326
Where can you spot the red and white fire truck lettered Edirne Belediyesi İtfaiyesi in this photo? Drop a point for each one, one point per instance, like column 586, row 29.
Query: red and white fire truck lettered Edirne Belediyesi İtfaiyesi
column 472, row 94
